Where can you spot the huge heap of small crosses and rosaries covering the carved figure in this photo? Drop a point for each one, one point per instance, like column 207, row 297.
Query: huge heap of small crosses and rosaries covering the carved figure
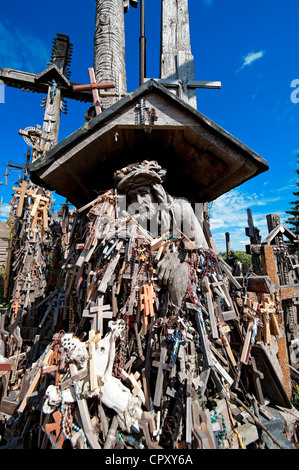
column 113, row 363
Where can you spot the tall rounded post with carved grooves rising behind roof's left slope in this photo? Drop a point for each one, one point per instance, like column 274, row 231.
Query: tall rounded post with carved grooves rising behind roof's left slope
column 109, row 47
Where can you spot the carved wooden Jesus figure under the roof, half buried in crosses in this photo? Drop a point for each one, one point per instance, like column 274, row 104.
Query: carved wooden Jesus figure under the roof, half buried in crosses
column 142, row 185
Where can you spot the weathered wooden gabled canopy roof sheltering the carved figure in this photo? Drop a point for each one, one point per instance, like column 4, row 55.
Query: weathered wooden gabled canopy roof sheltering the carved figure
column 203, row 161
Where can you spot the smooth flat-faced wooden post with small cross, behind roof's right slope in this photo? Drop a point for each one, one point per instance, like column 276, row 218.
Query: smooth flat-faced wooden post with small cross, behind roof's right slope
column 176, row 60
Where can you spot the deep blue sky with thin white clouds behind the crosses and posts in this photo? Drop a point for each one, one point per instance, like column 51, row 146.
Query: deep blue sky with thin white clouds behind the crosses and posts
column 251, row 47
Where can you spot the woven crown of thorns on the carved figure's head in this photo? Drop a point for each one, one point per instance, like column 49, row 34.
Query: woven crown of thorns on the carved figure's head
column 139, row 174
